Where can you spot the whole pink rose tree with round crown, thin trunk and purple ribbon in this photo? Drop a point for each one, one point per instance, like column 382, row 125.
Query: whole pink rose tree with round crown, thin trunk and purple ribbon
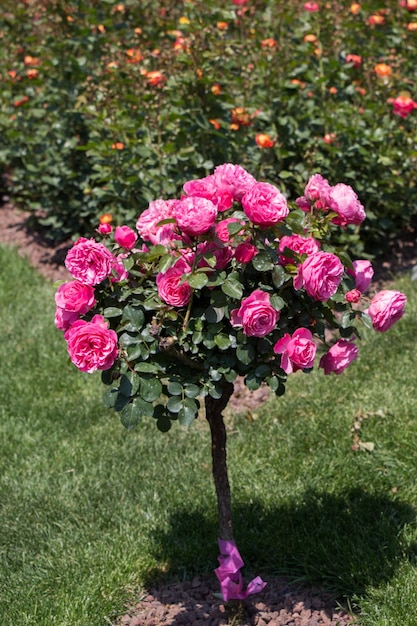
column 226, row 281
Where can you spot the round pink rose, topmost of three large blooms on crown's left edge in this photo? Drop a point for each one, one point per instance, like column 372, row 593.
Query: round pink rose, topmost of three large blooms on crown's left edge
column 89, row 262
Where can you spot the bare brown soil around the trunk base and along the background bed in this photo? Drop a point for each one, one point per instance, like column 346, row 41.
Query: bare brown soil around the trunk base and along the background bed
column 195, row 602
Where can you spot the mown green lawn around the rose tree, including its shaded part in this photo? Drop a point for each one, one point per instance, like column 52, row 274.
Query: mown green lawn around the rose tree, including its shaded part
column 90, row 514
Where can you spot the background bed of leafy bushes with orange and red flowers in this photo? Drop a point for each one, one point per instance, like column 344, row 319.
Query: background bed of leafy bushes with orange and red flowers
column 105, row 106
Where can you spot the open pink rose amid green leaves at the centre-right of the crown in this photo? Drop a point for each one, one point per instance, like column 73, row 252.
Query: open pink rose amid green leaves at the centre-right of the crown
column 256, row 315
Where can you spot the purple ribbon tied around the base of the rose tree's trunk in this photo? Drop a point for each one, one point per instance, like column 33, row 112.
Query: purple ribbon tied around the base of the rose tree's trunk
column 230, row 576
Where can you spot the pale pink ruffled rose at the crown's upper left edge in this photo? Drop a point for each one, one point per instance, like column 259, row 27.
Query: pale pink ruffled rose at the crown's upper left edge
column 148, row 223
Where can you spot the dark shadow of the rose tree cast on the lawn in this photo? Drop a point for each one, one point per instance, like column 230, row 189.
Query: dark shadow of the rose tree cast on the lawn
column 344, row 542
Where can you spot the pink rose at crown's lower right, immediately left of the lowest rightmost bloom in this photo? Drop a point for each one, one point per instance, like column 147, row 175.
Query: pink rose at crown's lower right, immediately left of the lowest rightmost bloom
column 298, row 351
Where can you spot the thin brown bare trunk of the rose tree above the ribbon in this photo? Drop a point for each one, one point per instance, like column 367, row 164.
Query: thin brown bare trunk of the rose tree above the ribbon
column 214, row 409
